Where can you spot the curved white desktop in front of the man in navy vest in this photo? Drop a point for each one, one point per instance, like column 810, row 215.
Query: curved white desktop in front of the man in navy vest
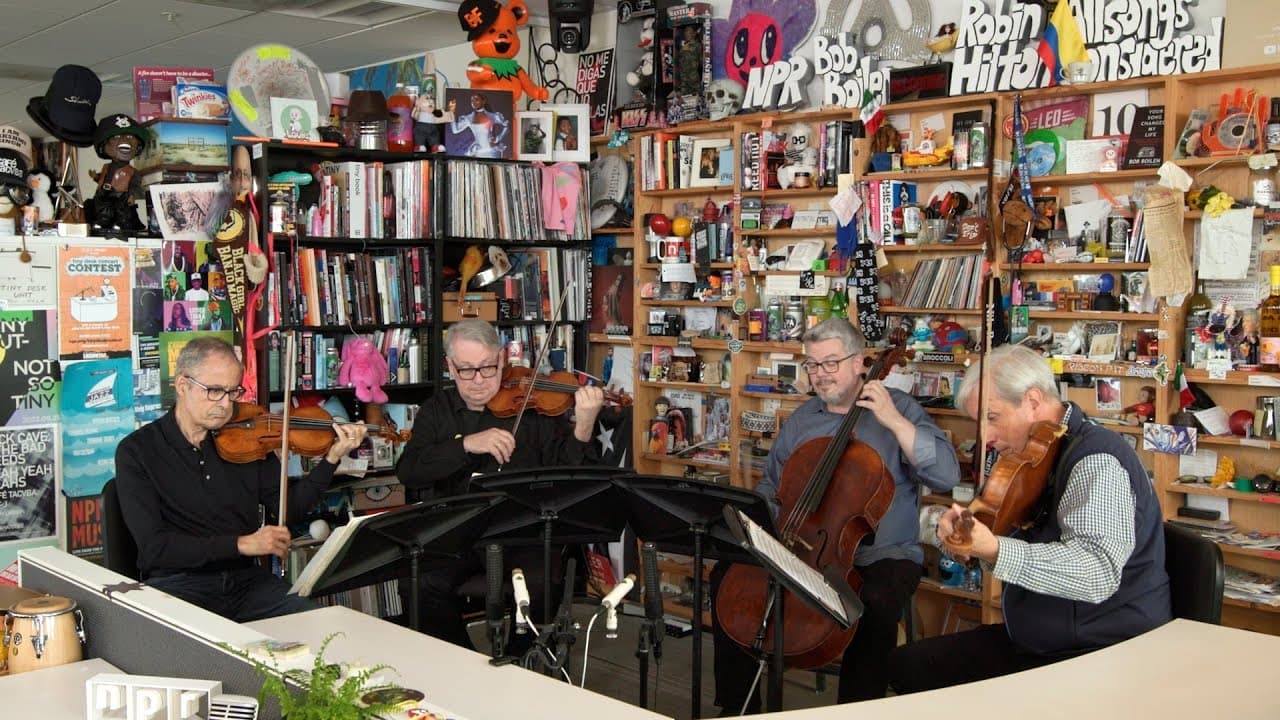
column 1181, row 671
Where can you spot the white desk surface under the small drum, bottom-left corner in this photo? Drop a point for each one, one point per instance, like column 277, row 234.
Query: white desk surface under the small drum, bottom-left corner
column 53, row 694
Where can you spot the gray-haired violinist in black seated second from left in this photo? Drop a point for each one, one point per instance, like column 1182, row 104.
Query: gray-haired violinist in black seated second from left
column 458, row 435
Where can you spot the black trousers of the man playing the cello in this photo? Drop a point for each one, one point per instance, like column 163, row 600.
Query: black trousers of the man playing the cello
column 888, row 587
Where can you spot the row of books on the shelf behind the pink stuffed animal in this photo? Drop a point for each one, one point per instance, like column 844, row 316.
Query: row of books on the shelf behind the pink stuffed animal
column 319, row 358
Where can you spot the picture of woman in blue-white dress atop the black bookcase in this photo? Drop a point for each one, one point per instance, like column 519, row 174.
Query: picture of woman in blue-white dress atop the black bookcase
column 482, row 124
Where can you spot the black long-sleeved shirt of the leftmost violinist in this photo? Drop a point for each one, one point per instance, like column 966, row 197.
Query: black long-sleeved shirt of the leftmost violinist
column 186, row 507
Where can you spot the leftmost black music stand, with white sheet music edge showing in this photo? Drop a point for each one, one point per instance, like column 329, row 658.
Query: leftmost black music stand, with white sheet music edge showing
column 395, row 544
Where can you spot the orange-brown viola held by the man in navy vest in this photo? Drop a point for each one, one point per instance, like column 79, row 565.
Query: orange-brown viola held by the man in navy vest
column 1014, row 490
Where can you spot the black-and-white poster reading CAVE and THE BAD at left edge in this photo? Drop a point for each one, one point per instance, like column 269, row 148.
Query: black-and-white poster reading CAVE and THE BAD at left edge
column 29, row 475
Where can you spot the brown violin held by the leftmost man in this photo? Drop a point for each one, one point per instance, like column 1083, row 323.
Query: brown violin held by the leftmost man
column 253, row 432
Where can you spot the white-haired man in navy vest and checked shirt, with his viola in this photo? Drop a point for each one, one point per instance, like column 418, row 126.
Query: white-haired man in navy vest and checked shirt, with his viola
column 1082, row 569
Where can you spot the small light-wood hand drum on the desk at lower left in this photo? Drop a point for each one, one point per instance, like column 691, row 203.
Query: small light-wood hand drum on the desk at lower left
column 43, row 632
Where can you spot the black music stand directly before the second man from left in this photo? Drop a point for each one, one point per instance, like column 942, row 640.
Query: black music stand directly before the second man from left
column 566, row 504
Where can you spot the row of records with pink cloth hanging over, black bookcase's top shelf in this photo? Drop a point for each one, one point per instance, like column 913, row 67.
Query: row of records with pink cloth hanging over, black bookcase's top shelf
column 514, row 203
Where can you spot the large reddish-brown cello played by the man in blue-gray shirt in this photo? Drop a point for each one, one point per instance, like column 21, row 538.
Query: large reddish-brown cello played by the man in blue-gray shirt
column 834, row 491
